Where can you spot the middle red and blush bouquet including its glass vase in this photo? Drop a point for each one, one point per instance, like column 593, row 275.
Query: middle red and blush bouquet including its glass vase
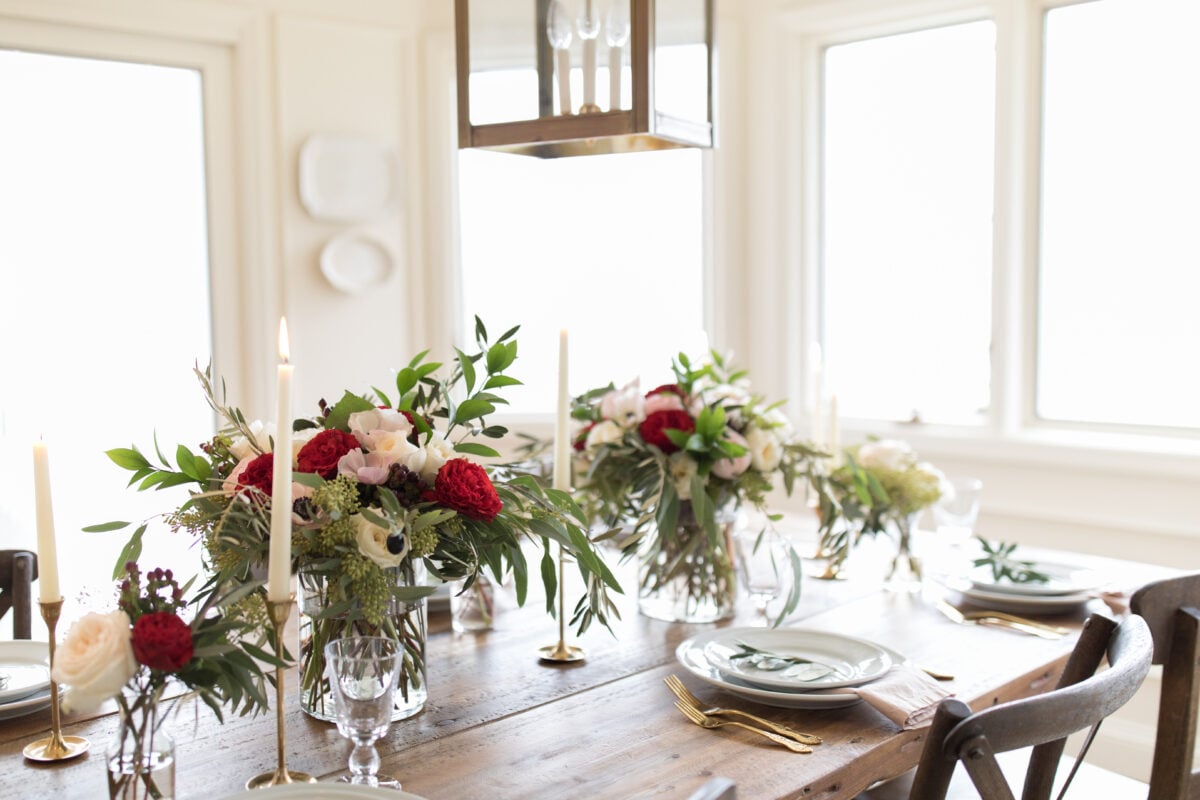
column 674, row 465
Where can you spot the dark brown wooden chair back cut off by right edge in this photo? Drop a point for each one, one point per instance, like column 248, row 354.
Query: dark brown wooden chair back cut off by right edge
column 1172, row 609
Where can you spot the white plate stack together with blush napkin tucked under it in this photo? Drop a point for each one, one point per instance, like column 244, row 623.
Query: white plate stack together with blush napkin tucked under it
column 809, row 670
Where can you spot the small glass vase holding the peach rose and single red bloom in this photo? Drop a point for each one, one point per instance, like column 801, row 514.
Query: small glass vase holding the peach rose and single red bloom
column 141, row 759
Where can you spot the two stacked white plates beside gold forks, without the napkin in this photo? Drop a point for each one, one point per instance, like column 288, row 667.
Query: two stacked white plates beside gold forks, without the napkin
column 790, row 669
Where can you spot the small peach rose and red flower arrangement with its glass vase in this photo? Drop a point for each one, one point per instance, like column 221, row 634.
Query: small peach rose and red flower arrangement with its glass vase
column 134, row 655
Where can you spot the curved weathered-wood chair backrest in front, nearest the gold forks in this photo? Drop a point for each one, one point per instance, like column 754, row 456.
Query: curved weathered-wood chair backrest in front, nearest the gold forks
column 1083, row 699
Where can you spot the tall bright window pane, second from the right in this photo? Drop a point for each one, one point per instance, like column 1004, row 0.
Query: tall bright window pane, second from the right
column 907, row 224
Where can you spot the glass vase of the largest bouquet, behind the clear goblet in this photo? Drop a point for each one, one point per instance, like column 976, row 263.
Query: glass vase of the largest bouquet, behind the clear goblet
column 327, row 613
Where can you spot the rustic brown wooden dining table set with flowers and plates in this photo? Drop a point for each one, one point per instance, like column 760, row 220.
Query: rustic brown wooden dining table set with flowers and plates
column 501, row 724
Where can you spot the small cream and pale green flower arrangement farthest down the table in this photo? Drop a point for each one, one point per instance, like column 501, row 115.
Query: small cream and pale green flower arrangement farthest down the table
column 883, row 486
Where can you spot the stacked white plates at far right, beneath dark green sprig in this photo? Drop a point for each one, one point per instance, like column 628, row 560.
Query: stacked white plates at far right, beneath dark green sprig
column 1067, row 590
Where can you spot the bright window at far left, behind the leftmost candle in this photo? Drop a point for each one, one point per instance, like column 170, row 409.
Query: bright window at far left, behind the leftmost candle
column 105, row 266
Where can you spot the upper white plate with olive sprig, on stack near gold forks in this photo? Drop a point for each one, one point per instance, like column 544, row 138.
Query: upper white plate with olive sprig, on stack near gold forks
column 832, row 661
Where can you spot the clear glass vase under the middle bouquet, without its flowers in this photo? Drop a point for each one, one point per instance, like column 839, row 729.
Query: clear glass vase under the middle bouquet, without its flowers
column 686, row 575
